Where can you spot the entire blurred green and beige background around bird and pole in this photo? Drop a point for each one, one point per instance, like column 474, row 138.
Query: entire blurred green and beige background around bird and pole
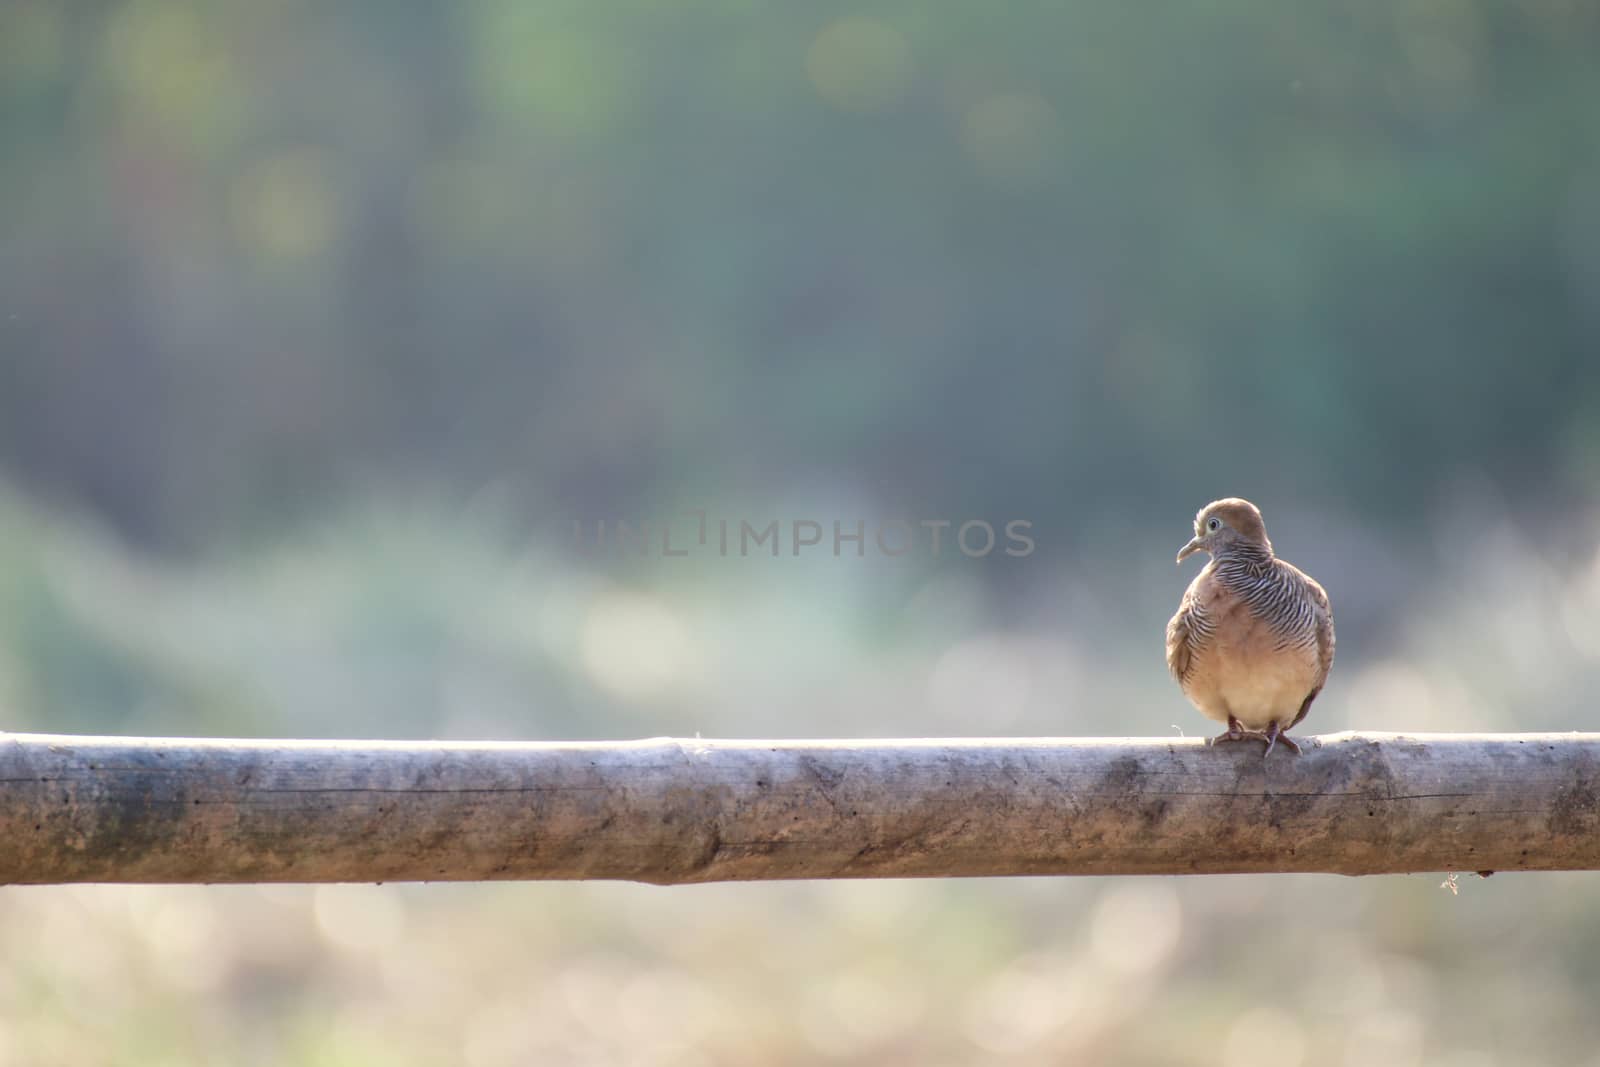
column 322, row 324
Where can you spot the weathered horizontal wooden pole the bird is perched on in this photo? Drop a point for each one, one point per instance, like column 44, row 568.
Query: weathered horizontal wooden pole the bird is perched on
column 687, row 810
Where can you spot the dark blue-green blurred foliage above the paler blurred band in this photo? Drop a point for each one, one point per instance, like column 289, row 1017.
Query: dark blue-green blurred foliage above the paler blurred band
column 610, row 258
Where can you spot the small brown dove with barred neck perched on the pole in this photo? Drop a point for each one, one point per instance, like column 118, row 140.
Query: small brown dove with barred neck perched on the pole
column 1252, row 642
